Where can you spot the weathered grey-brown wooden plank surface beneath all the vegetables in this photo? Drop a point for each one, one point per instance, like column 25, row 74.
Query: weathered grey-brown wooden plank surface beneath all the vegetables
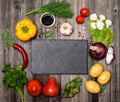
column 11, row 11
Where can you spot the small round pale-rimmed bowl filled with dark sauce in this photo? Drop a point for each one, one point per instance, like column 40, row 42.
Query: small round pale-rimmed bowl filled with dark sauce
column 47, row 19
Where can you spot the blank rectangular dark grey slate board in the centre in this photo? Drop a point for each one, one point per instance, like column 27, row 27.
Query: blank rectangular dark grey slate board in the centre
column 59, row 56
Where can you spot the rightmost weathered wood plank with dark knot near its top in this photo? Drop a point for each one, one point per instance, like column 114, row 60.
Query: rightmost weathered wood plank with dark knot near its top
column 115, row 82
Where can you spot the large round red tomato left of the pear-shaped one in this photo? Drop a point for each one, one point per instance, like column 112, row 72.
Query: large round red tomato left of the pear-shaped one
column 34, row 87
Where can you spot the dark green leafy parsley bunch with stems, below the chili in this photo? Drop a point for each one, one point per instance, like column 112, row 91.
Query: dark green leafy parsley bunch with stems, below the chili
column 14, row 78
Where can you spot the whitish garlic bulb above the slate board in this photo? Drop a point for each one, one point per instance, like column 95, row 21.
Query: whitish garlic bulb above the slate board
column 66, row 28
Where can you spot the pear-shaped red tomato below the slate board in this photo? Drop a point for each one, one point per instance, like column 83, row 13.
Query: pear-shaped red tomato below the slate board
column 51, row 88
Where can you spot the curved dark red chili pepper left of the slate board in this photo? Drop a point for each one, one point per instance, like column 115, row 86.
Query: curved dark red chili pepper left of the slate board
column 24, row 54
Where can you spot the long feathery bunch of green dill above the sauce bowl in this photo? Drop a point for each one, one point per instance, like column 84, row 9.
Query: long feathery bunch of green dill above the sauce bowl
column 59, row 9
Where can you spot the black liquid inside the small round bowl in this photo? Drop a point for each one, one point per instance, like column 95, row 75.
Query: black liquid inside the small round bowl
column 47, row 19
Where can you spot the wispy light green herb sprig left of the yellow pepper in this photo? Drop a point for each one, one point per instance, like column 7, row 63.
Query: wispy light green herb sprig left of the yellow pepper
column 6, row 36
